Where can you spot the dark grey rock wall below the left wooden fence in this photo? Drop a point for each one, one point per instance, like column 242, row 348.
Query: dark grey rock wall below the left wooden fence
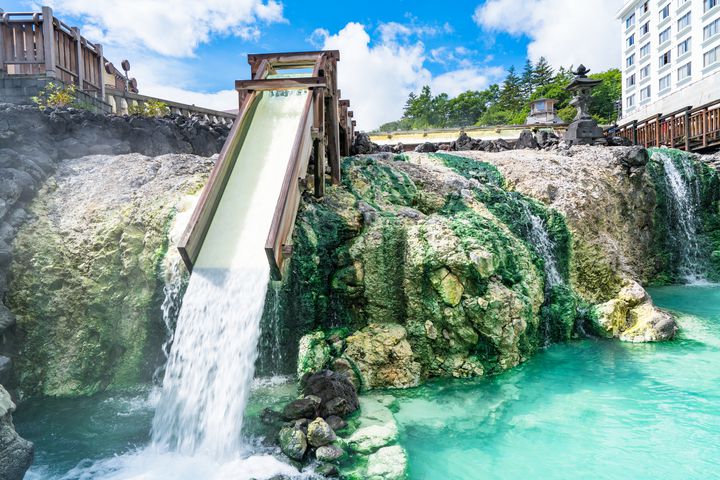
column 33, row 143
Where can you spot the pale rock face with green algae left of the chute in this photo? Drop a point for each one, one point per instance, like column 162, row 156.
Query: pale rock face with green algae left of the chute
column 88, row 271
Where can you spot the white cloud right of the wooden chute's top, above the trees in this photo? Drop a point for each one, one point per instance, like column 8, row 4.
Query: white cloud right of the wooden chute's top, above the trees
column 378, row 77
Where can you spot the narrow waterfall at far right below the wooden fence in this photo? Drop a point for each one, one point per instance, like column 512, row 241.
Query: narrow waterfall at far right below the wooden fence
column 683, row 221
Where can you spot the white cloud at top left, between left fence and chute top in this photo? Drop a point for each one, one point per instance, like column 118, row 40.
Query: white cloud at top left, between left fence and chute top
column 170, row 27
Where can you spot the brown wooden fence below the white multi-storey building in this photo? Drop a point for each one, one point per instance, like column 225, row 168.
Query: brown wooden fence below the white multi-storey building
column 690, row 129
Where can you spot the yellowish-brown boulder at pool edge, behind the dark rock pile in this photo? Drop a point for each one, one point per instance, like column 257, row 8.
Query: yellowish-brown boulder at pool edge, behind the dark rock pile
column 383, row 356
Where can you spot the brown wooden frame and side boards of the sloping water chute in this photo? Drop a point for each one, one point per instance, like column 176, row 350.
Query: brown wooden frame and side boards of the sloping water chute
column 317, row 143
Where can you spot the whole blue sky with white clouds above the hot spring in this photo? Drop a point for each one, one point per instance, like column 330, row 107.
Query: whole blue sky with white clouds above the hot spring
column 193, row 51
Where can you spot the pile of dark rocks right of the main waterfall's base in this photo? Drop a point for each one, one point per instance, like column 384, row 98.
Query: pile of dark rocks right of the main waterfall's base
column 309, row 424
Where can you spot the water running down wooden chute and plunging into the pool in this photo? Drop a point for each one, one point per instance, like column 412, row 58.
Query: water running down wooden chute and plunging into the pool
column 210, row 368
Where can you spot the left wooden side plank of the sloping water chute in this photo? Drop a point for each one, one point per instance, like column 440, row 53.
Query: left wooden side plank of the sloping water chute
column 194, row 235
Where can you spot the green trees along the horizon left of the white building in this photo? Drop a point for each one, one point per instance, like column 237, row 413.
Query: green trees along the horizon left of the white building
column 508, row 103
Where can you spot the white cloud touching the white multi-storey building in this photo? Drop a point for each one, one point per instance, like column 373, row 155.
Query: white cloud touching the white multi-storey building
column 566, row 32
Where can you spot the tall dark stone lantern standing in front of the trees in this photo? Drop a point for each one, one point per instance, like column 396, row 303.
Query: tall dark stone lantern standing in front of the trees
column 583, row 130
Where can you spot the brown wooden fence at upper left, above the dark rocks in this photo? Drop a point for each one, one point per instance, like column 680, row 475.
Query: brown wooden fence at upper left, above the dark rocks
column 40, row 44
